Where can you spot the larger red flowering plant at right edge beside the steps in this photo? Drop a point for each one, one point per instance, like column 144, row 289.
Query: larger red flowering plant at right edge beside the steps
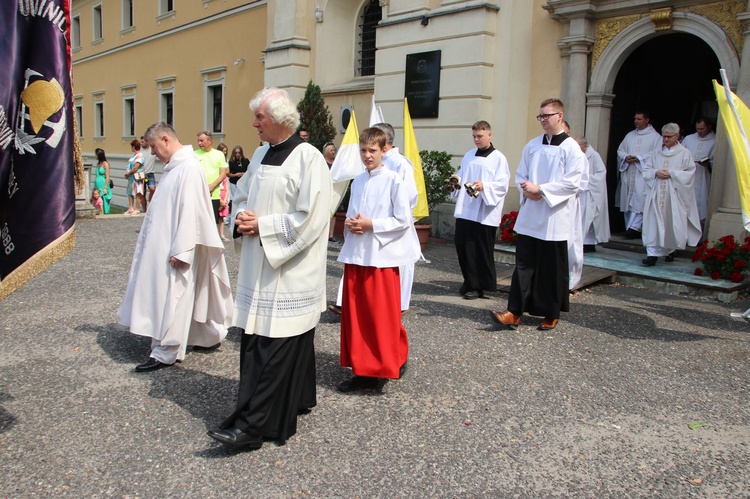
column 726, row 259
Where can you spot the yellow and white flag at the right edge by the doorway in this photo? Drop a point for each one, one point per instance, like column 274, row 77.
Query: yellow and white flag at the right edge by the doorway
column 736, row 118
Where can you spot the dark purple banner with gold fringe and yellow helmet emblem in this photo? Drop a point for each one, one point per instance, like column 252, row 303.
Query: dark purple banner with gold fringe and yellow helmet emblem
column 37, row 170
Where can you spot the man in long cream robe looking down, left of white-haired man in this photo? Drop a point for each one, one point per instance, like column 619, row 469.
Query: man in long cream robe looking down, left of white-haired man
column 178, row 291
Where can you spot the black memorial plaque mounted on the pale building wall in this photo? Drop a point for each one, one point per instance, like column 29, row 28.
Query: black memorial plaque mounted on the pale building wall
column 422, row 88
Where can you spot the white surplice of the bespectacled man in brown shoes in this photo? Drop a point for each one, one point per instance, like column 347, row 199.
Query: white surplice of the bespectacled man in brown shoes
column 558, row 171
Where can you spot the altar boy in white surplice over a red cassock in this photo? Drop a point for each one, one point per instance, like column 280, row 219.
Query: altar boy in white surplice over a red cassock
column 379, row 237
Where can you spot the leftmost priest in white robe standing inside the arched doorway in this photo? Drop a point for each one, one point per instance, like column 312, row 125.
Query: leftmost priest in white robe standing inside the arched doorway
column 631, row 190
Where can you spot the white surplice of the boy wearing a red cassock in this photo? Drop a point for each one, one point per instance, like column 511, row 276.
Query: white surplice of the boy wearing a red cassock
column 381, row 196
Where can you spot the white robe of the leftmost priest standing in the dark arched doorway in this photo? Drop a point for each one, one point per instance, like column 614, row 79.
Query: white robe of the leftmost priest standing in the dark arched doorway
column 631, row 190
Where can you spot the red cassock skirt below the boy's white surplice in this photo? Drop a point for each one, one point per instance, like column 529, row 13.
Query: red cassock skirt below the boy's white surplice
column 373, row 340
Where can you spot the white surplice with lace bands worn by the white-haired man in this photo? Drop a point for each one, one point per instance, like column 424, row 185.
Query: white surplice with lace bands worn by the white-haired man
column 281, row 279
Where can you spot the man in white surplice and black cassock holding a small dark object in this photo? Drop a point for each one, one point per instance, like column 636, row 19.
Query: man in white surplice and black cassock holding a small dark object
column 485, row 170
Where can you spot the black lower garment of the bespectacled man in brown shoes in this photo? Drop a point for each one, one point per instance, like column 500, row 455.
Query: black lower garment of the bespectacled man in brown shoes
column 540, row 282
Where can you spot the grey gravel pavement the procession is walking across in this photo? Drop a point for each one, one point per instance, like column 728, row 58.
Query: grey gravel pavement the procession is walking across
column 635, row 394
